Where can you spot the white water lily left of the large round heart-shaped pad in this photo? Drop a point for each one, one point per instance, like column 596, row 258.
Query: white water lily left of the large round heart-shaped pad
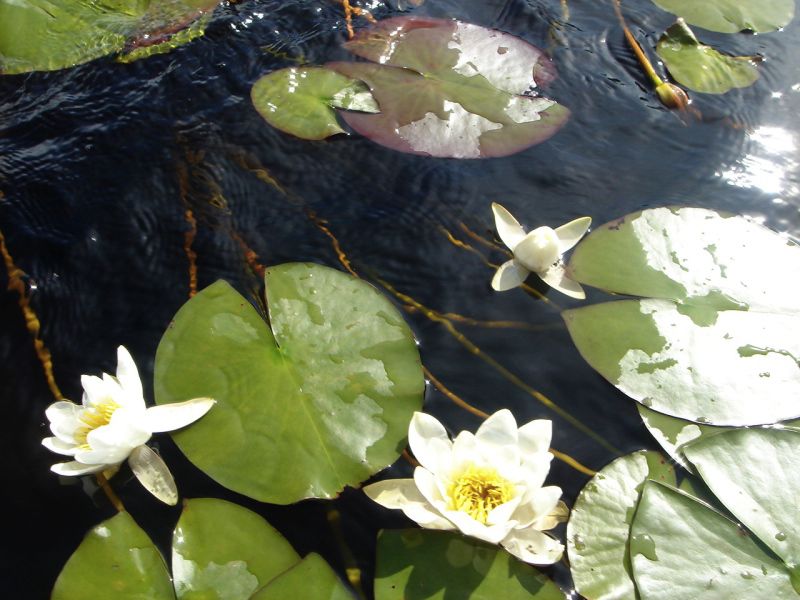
column 113, row 424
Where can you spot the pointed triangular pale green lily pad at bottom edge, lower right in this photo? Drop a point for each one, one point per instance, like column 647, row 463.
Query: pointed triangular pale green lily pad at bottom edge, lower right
column 683, row 548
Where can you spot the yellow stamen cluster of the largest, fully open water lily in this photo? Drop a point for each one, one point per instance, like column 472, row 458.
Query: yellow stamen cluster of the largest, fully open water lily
column 477, row 490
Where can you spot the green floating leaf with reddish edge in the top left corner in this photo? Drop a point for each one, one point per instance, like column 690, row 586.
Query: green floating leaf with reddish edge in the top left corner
column 45, row 35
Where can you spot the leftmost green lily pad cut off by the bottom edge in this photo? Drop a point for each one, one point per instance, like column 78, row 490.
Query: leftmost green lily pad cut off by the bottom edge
column 117, row 558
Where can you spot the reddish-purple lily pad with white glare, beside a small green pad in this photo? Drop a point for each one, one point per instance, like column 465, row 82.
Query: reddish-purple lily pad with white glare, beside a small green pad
column 451, row 89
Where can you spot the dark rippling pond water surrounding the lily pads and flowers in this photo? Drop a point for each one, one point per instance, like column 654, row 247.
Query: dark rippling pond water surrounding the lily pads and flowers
column 98, row 164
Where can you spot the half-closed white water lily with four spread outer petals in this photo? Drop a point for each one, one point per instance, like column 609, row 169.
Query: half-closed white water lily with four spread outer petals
column 538, row 251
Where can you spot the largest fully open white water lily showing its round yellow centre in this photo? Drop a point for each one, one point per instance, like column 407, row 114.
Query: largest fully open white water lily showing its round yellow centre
column 487, row 485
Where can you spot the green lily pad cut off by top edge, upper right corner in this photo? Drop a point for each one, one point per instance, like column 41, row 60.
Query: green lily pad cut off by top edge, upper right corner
column 730, row 16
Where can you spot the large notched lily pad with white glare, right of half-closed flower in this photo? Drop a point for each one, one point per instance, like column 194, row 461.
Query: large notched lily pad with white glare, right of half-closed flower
column 720, row 341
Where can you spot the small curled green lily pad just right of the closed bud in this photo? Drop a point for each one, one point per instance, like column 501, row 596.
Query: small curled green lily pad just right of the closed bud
column 700, row 67
